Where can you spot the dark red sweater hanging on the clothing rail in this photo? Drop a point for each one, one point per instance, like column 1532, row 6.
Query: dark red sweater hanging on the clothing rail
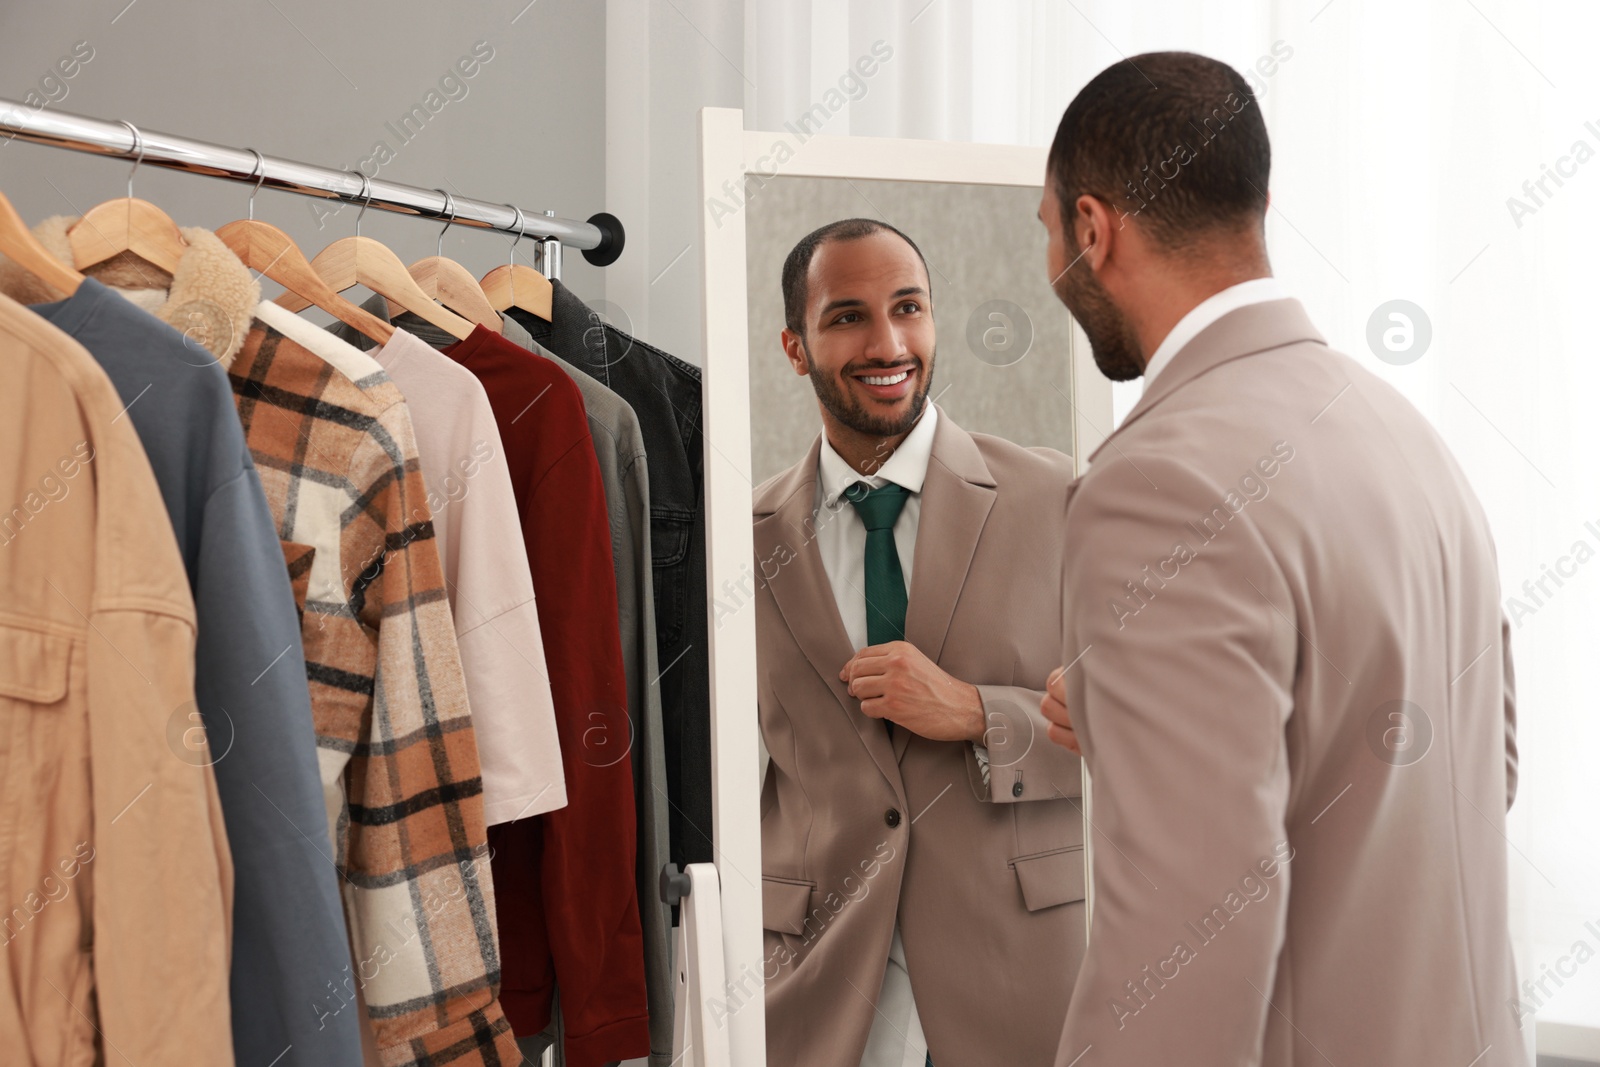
column 564, row 882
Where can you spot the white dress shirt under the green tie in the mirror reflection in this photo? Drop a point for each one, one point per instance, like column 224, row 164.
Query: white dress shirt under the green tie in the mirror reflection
column 897, row 1039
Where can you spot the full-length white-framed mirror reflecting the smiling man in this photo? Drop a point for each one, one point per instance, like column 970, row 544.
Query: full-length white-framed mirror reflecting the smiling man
column 913, row 415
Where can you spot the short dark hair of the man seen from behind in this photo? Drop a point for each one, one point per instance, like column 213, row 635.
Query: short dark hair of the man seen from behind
column 1170, row 138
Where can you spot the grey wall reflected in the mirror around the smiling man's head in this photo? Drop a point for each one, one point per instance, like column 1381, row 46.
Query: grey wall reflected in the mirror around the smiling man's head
column 983, row 244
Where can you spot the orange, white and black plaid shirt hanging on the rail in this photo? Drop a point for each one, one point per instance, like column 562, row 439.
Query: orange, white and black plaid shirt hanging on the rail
column 399, row 757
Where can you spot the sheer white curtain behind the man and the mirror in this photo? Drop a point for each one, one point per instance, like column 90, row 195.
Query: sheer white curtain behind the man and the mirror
column 1401, row 135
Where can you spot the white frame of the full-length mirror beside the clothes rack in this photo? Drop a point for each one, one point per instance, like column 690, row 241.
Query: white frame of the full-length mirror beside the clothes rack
column 729, row 154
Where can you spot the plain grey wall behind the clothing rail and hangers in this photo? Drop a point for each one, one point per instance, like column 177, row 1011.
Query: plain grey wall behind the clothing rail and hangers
column 319, row 82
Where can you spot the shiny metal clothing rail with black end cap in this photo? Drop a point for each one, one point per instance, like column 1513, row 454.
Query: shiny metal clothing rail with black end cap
column 601, row 238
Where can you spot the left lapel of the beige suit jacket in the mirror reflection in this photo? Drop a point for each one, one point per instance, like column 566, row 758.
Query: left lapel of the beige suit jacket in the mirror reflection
column 791, row 565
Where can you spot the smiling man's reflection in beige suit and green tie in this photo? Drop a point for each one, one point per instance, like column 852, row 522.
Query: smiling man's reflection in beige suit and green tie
column 922, row 845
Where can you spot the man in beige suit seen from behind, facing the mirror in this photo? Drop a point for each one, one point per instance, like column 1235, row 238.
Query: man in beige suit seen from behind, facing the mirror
column 1287, row 666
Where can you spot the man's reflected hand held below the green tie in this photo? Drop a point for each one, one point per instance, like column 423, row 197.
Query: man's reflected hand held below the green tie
column 897, row 682
